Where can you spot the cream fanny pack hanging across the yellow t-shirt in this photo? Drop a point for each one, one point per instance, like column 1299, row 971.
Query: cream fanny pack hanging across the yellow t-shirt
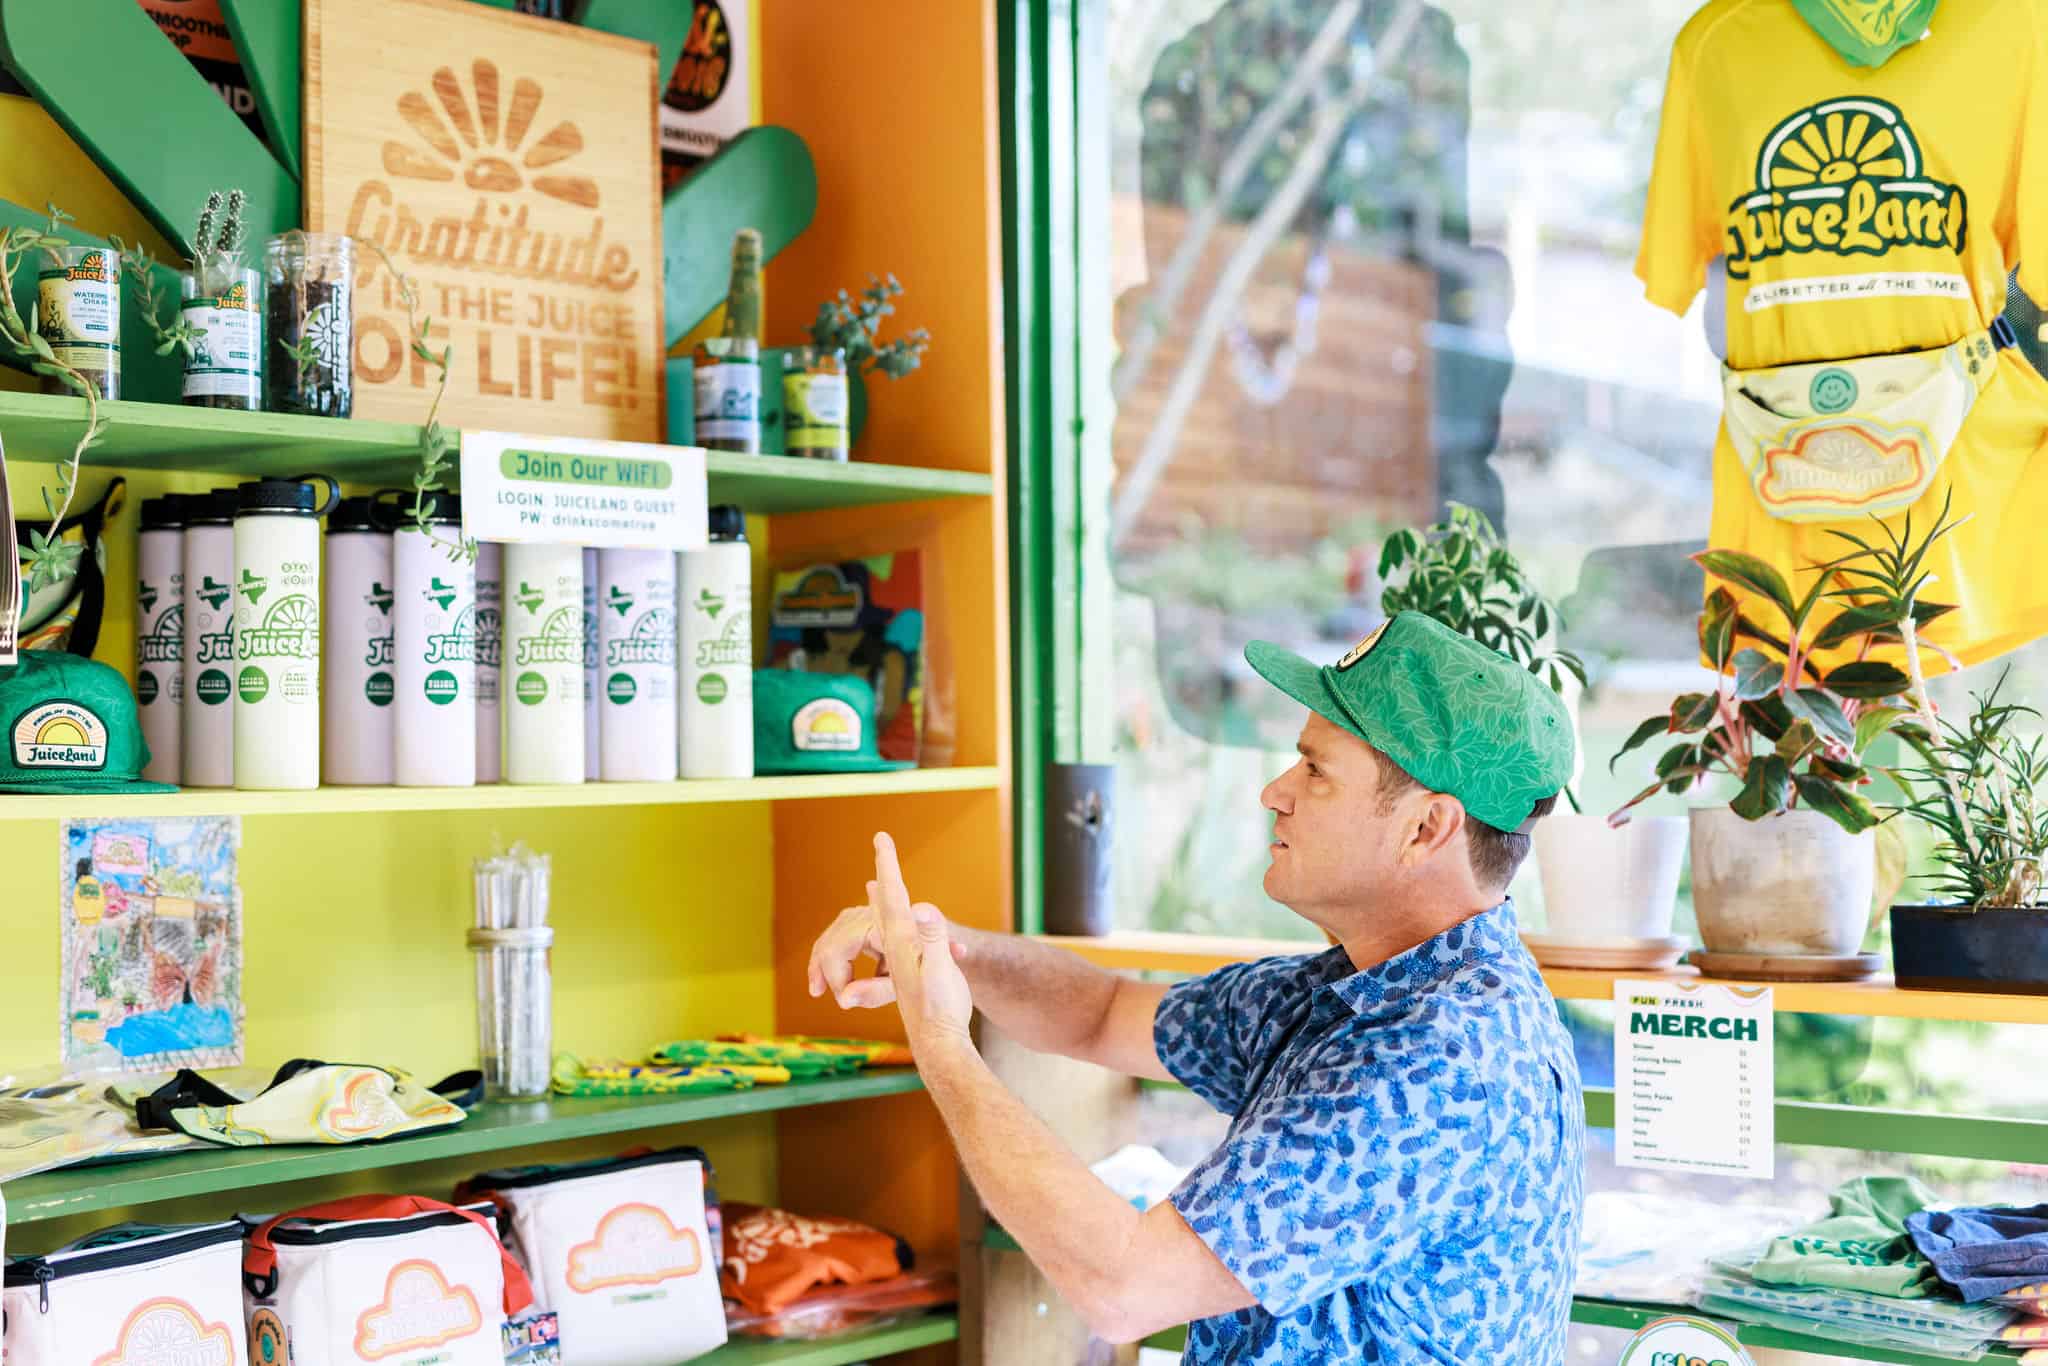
column 1861, row 437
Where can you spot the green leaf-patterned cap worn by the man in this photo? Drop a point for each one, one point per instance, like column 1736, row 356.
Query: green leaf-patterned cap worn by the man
column 1455, row 716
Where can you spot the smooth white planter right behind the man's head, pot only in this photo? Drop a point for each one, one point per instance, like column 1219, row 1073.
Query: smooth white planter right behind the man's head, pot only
column 1603, row 884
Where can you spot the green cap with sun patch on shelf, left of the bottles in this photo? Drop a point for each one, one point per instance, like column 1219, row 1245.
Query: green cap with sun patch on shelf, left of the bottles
column 71, row 728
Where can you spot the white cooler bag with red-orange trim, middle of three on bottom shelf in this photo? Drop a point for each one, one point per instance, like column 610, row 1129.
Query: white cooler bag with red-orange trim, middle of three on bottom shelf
column 380, row 1279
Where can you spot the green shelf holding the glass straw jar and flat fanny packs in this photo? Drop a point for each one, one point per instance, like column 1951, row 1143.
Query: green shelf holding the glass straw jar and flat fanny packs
column 490, row 1127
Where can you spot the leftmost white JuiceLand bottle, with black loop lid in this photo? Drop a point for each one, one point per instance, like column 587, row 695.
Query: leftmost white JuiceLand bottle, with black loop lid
column 278, row 632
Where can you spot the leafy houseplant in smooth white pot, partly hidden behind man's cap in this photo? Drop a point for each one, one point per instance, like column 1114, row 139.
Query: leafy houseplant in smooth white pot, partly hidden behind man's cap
column 1607, row 890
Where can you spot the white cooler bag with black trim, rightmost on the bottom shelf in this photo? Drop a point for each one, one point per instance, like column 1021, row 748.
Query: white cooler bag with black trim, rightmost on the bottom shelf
column 624, row 1250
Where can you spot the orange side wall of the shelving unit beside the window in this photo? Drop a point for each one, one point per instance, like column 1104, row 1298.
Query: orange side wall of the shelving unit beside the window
column 898, row 108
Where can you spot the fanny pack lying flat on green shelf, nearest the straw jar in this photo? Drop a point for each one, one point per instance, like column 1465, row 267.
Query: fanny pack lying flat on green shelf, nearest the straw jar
column 310, row 1103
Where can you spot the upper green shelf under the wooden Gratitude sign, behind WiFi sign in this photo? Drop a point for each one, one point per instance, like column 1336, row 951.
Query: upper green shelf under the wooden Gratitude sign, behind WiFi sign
column 40, row 427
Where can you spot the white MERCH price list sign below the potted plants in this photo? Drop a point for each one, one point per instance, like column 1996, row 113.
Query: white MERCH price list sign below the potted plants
column 1693, row 1078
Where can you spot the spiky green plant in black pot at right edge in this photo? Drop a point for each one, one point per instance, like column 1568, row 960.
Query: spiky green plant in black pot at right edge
column 1986, row 794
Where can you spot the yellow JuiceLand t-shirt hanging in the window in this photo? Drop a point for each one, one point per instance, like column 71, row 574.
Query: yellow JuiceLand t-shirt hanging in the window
column 1871, row 212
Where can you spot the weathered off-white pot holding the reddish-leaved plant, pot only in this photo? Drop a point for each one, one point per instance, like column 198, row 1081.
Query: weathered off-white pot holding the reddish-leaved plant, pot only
column 1793, row 884
